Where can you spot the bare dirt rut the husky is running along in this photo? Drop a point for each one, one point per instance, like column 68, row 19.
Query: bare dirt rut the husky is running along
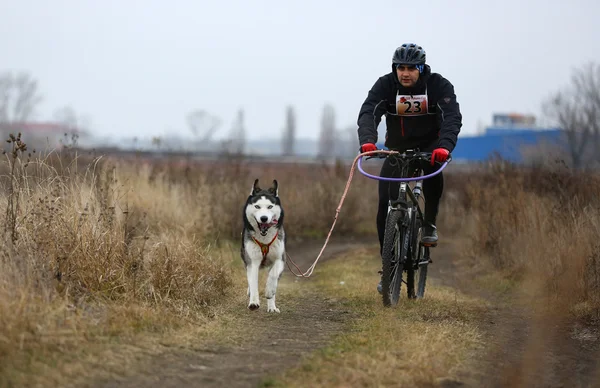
column 273, row 342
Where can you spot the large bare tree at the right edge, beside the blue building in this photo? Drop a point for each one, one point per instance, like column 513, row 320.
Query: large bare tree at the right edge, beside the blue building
column 576, row 109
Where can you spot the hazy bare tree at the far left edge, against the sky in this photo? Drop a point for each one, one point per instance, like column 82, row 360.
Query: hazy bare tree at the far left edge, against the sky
column 19, row 97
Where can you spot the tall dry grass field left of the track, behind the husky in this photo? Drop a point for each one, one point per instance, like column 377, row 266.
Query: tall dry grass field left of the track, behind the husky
column 97, row 250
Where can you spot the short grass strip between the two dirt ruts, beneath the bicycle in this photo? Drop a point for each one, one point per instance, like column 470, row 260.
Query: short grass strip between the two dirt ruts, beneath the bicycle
column 419, row 343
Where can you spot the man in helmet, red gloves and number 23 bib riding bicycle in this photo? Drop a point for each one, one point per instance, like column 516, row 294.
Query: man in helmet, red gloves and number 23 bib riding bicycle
column 421, row 113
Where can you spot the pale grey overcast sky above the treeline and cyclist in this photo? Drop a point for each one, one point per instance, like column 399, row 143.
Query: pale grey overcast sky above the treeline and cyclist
column 138, row 67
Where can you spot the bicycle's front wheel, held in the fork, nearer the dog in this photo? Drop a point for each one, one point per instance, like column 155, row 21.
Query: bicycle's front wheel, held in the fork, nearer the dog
column 391, row 278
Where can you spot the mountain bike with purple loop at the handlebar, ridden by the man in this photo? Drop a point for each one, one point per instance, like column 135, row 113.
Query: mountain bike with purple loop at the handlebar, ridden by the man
column 400, row 252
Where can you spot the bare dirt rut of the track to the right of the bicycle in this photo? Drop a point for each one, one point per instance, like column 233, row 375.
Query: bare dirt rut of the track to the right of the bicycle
column 524, row 350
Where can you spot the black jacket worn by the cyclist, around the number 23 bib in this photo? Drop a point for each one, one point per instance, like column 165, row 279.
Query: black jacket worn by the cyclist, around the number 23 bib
column 441, row 124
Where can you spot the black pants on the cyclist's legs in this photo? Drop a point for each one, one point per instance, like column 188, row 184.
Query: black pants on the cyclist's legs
column 432, row 191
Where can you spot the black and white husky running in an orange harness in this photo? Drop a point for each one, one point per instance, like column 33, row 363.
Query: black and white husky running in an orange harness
column 263, row 242
